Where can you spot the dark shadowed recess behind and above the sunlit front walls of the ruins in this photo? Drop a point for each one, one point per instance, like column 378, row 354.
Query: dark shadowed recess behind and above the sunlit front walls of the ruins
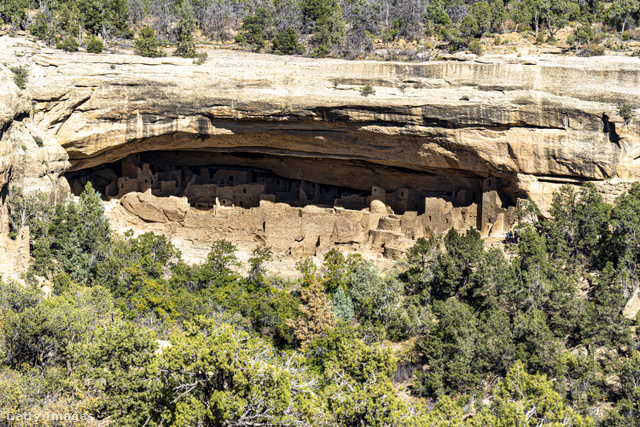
column 244, row 179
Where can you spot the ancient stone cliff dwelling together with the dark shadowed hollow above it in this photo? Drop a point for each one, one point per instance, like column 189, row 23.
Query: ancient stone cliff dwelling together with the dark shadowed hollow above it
column 298, row 206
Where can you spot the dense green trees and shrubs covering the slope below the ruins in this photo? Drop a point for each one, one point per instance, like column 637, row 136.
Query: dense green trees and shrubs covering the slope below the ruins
column 532, row 334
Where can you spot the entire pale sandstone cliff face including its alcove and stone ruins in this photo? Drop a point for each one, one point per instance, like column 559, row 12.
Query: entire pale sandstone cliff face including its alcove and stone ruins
column 440, row 144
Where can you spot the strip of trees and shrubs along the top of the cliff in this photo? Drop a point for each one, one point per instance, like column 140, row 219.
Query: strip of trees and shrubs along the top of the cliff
column 342, row 27
